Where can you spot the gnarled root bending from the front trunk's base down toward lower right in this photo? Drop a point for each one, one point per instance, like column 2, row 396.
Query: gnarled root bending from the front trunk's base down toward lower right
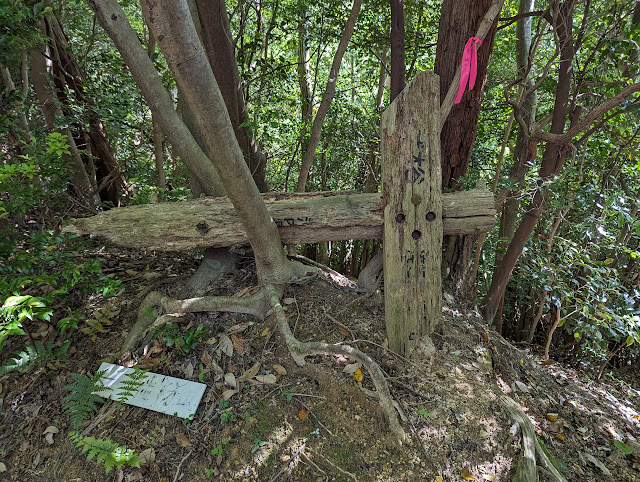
column 299, row 350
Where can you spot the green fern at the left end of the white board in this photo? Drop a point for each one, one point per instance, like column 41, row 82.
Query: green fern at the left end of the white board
column 83, row 399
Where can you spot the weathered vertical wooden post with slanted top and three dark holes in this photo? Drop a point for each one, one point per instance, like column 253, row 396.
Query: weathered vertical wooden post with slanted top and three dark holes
column 411, row 190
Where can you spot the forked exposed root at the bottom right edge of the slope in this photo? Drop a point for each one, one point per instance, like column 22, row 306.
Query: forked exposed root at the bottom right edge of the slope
column 526, row 471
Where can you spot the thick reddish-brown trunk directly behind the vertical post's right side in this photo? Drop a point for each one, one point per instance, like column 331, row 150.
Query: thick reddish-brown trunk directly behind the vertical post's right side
column 458, row 22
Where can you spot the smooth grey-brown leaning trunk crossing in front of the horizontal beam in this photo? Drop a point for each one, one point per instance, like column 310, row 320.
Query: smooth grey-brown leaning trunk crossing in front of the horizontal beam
column 177, row 38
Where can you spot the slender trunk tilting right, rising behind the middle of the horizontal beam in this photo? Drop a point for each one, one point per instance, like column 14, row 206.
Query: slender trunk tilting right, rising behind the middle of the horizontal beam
column 327, row 97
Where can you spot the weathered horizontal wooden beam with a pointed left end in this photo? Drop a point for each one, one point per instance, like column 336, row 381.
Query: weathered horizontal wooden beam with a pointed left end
column 301, row 217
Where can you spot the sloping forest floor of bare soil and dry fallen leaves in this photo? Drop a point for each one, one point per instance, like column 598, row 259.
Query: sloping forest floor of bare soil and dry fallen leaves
column 314, row 423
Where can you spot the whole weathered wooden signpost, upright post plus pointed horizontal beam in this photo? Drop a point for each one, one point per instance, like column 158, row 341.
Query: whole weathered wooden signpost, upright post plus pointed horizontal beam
column 411, row 216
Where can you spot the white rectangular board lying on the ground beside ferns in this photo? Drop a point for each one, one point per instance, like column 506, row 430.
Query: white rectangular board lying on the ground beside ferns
column 173, row 396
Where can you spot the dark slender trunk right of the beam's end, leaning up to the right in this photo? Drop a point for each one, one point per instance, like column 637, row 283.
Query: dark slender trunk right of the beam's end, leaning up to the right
column 552, row 161
